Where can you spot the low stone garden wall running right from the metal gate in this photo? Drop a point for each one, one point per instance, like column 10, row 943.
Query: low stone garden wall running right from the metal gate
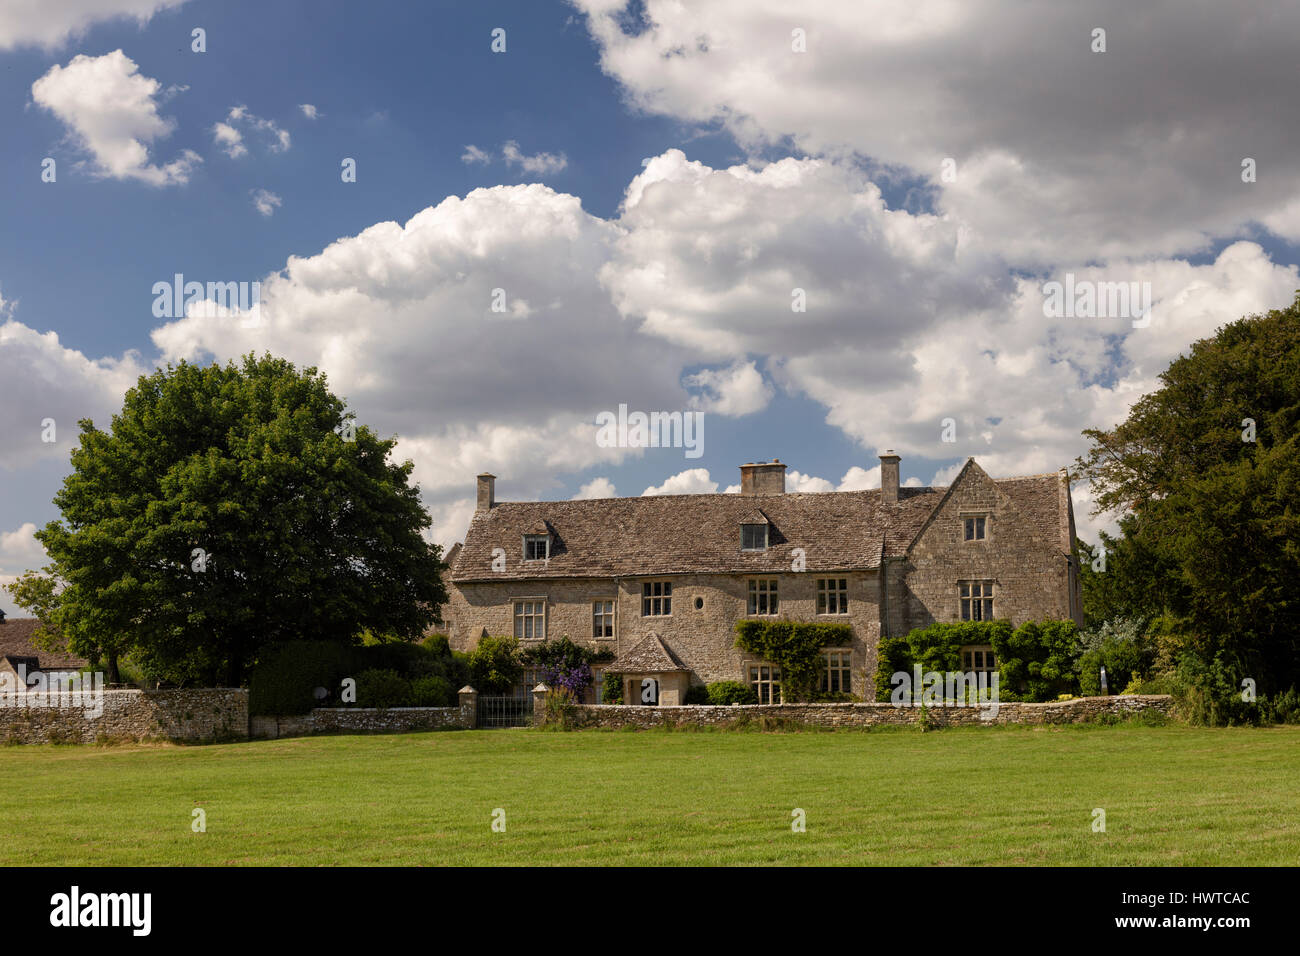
column 1078, row 711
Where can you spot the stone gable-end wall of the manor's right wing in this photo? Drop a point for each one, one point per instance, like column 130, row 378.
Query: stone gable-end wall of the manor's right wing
column 1026, row 555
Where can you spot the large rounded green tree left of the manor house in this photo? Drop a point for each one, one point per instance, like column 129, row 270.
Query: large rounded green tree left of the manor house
column 229, row 508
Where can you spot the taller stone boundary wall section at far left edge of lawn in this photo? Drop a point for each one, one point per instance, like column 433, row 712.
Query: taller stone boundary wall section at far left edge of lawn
column 197, row 716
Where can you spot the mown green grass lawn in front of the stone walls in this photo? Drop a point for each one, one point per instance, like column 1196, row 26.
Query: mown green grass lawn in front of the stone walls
column 1172, row 795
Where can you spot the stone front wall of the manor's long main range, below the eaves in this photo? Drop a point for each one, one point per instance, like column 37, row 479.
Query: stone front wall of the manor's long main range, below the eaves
column 704, row 638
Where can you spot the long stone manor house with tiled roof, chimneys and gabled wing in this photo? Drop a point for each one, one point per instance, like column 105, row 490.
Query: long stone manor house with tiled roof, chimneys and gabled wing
column 662, row 581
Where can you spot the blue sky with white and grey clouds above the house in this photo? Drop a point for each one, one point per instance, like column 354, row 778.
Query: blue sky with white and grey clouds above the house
column 769, row 168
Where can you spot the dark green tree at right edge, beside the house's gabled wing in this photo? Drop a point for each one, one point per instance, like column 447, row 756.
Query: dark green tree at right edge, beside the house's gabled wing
column 1207, row 475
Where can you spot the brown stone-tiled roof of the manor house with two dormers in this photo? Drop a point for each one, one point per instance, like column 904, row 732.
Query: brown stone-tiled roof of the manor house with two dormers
column 690, row 534
